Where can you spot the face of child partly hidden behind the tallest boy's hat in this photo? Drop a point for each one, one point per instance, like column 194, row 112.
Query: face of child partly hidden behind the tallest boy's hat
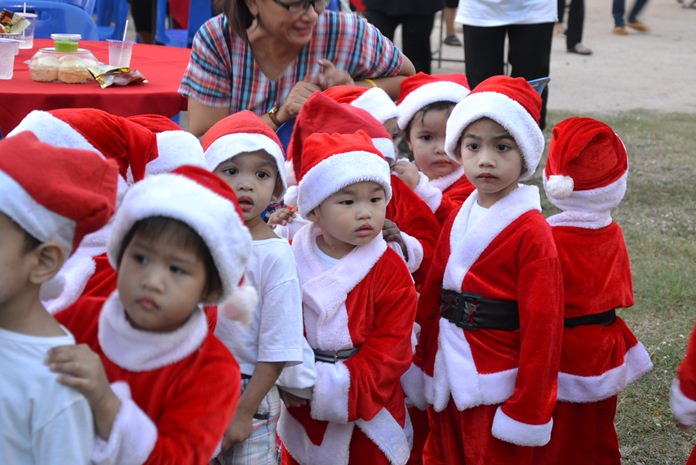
column 427, row 143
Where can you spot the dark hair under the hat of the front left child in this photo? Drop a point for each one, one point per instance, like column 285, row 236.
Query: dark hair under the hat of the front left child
column 169, row 229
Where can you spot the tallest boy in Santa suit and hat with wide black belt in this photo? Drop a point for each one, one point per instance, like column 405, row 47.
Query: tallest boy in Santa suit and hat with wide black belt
column 491, row 308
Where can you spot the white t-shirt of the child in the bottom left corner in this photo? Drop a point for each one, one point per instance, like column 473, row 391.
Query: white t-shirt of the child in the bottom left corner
column 41, row 421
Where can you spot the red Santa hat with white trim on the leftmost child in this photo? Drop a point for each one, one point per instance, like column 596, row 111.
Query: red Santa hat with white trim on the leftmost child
column 77, row 198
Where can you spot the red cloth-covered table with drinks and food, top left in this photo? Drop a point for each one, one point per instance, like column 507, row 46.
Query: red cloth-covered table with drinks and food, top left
column 162, row 66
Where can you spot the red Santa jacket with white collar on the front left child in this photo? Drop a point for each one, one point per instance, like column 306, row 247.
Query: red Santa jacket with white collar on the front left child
column 178, row 390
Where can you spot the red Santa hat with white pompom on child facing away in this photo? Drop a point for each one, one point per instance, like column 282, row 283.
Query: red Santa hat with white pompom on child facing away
column 586, row 159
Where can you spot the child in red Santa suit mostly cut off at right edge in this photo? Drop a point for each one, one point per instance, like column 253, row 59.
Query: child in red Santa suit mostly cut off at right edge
column 683, row 396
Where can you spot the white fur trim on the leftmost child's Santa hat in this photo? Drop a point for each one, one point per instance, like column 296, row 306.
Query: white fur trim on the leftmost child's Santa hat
column 37, row 220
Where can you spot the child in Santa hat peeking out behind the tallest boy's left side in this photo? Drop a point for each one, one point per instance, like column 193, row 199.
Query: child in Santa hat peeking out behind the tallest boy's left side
column 424, row 104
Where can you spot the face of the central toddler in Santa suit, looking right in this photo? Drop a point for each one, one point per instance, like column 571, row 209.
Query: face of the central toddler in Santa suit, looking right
column 352, row 216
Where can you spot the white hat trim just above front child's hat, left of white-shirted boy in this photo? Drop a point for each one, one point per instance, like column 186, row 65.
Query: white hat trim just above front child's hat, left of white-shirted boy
column 175, row 149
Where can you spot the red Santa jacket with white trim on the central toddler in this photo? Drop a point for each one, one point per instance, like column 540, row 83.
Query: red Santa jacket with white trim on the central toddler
column 366, row 301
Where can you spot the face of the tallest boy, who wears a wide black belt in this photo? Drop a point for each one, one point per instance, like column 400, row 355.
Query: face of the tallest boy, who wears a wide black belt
column 491, row 160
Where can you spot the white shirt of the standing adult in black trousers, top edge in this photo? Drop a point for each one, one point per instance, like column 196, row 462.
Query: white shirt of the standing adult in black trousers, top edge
column 488, row 13
